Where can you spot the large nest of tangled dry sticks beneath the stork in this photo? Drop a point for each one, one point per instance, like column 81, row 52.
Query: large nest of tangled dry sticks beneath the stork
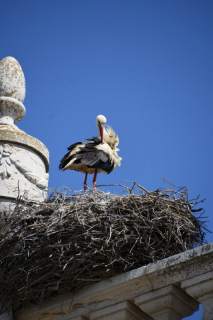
column 69, row 242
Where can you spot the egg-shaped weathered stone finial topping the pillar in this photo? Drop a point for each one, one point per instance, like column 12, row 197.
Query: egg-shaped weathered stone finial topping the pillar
column 12, row 91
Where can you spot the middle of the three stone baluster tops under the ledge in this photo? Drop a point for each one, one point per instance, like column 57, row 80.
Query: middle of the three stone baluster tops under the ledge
column 167, row 303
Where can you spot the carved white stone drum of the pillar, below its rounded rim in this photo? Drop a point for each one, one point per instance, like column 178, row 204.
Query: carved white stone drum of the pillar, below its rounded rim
column 22, row 173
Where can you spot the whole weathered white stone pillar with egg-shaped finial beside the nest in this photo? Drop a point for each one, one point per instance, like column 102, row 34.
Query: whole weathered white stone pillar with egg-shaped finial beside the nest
column 23, row 158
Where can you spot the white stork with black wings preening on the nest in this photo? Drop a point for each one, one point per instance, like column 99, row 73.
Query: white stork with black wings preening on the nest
column 97, row 154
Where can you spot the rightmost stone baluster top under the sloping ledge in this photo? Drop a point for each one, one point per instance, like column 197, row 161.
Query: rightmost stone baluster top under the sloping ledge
column 201, row 288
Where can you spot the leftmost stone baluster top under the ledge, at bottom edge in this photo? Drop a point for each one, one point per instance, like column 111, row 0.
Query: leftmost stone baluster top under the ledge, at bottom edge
column 120, row 311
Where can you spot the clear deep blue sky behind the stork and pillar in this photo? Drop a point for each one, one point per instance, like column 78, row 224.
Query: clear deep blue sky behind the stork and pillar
column 146, row 65
